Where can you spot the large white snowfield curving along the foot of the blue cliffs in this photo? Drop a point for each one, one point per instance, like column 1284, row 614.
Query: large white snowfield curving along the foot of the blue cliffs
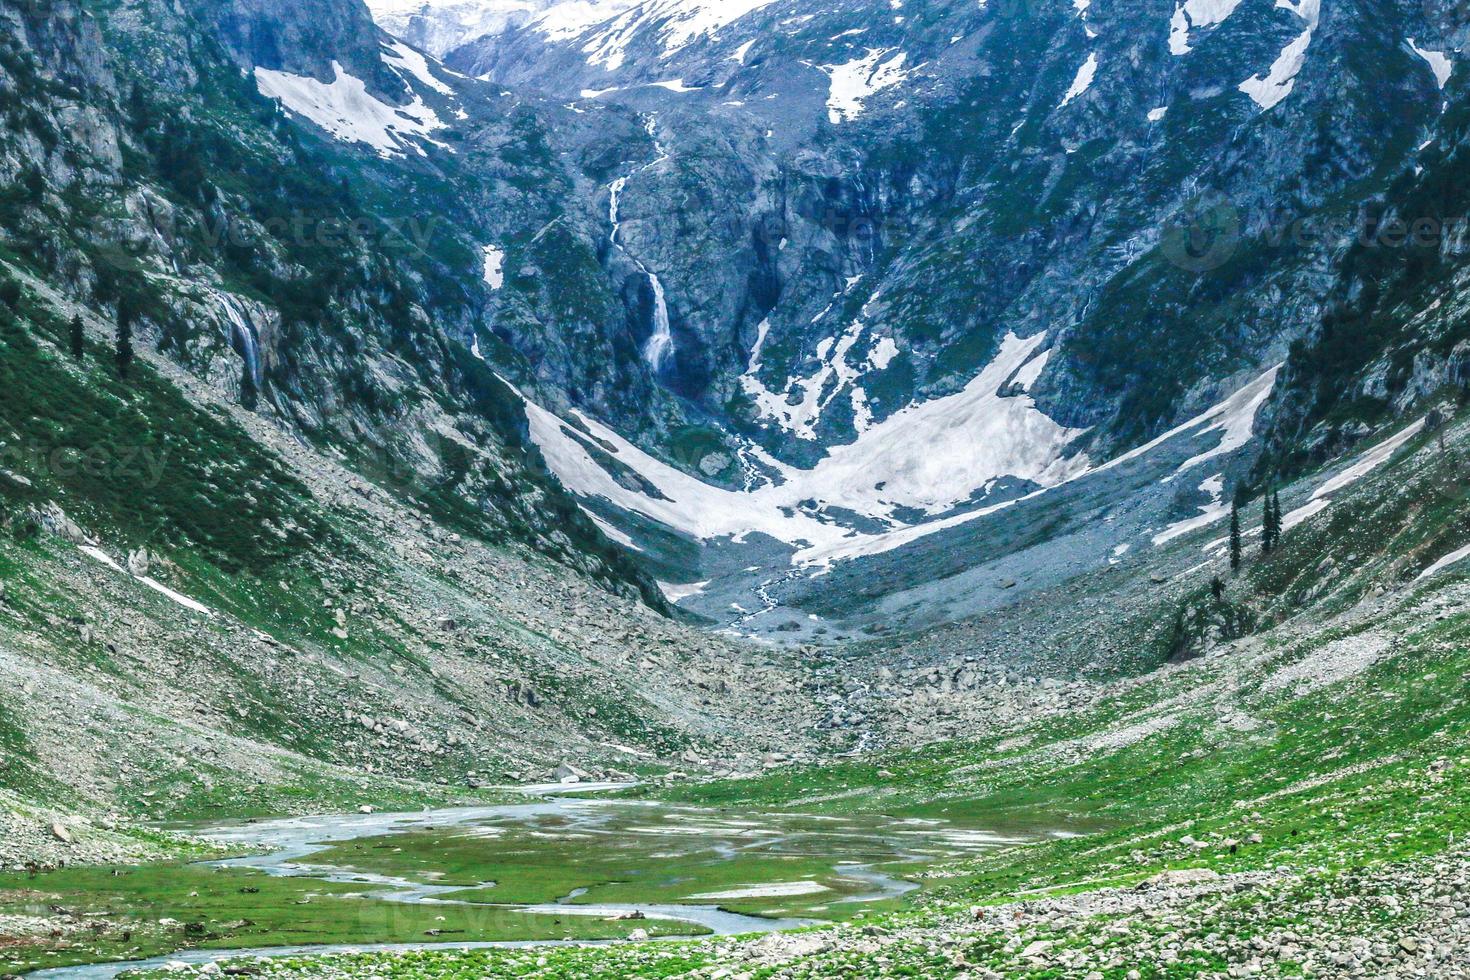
column 928, row 459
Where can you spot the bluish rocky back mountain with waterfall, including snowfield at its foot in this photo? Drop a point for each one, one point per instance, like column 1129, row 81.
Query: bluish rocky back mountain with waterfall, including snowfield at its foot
column 915, row 265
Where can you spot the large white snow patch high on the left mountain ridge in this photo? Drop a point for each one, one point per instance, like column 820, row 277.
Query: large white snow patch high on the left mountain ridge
column 348, row 112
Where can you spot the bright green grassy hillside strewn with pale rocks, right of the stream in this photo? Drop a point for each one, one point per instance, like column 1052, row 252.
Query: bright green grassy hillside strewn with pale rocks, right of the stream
column 1278, row 804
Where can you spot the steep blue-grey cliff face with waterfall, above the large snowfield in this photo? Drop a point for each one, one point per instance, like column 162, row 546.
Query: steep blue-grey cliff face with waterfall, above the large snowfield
column 978, row 171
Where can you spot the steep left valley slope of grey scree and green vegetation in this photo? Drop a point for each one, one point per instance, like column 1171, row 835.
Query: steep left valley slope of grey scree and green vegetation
column 296, row 547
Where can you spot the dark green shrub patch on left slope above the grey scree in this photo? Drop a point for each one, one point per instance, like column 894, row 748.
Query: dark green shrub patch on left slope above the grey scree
column 133, row 458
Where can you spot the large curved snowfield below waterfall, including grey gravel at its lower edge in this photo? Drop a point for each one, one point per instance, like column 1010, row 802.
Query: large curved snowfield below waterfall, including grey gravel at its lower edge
column 964, row 462
